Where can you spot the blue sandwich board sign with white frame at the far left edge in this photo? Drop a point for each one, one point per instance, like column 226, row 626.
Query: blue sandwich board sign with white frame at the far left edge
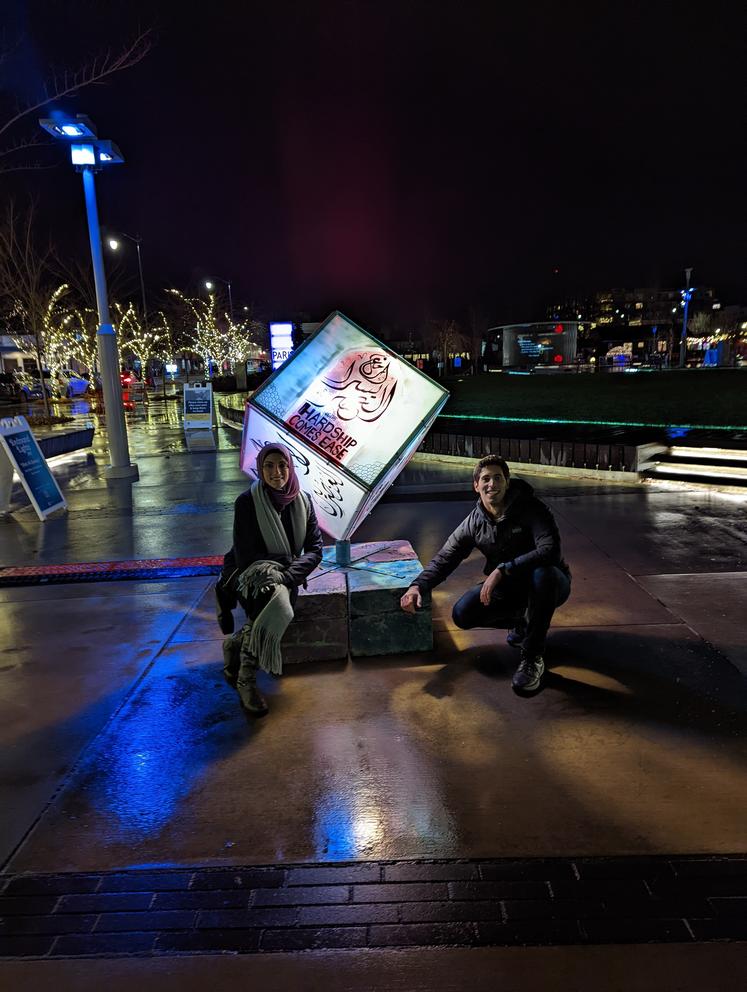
column 20, row 452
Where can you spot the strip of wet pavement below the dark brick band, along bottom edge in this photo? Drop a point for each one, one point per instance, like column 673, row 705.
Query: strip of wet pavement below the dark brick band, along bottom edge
column 642, row 968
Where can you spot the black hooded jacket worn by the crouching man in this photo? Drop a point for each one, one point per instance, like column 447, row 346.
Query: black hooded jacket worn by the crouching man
column 525, row 537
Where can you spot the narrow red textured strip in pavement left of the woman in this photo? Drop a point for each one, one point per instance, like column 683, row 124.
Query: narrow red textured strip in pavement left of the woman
column 108, row 571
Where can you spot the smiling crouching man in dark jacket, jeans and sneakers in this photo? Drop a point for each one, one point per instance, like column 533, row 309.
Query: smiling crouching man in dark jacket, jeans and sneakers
column 527, row 578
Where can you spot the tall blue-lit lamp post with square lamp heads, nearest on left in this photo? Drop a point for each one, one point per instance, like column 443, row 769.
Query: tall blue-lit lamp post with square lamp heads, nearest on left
column 89, row 154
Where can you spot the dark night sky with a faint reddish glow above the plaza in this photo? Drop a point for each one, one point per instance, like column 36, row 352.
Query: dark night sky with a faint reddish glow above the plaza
column 407, row 160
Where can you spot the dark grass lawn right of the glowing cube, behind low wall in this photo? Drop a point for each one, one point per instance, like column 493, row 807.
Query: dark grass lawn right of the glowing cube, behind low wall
column 693, row 396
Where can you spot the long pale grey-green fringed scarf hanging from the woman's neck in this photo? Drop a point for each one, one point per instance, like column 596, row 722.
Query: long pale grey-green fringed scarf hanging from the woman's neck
column 266, row 632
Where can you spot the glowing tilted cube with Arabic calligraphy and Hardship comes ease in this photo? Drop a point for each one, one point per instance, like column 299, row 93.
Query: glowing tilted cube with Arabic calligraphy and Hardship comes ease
column 352, row 413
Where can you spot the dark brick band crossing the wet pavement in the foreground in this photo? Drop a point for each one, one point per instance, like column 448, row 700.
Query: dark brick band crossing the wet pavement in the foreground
column 375, row 904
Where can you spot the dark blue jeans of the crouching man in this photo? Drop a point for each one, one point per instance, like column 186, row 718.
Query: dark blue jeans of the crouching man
column 539, row 593
